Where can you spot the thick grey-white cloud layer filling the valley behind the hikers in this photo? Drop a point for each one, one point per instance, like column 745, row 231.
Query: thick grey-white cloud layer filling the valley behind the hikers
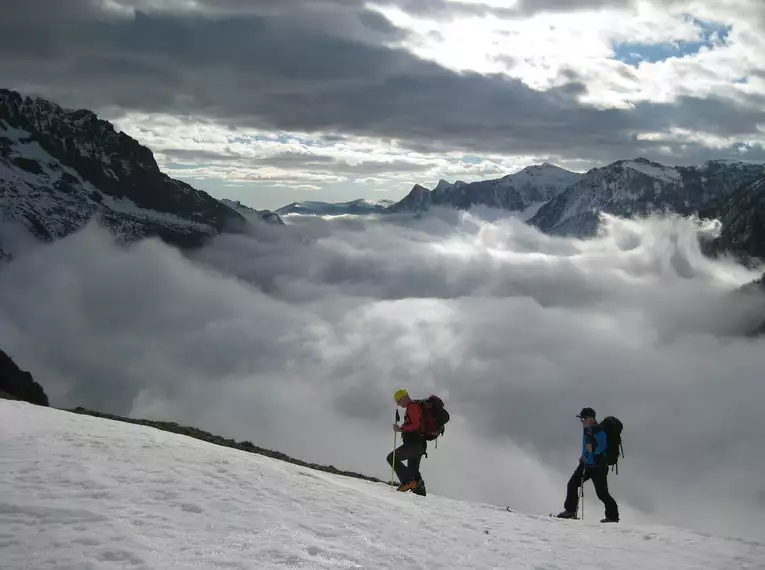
column 296, row 337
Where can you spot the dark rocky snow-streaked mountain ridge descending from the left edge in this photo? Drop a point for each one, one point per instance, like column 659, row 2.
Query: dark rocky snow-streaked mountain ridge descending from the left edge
column 61, row 168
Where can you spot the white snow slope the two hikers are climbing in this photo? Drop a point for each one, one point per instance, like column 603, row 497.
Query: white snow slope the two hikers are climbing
column 79, row 492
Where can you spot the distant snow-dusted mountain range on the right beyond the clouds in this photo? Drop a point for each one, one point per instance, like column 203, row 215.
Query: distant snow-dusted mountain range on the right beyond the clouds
column 561, row 202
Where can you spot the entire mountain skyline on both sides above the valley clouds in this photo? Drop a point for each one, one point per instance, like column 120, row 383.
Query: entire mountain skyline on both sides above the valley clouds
column 60, row 168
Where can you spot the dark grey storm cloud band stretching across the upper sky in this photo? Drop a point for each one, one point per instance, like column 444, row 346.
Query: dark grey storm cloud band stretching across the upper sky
column 322, row 68
